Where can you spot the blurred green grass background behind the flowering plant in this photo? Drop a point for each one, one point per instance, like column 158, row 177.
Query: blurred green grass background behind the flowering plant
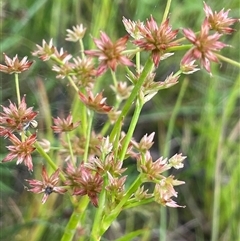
column 206, row 130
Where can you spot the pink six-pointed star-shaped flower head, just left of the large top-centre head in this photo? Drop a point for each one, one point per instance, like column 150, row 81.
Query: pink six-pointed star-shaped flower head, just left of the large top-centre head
column 109, row 54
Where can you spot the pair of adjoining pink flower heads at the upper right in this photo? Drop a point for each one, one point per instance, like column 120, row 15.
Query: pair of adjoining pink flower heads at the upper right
column 206, row 44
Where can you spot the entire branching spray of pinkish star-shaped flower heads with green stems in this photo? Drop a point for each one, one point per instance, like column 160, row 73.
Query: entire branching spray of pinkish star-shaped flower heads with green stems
column 93, row 161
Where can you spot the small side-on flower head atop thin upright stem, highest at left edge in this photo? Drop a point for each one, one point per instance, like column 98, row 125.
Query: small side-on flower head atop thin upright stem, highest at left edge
column 14, row 65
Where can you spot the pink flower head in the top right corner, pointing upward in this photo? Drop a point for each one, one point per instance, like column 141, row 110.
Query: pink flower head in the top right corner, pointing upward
column 219, row 21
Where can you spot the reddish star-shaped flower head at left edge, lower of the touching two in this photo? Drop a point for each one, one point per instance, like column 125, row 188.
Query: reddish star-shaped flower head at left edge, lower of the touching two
column 21, row 150
